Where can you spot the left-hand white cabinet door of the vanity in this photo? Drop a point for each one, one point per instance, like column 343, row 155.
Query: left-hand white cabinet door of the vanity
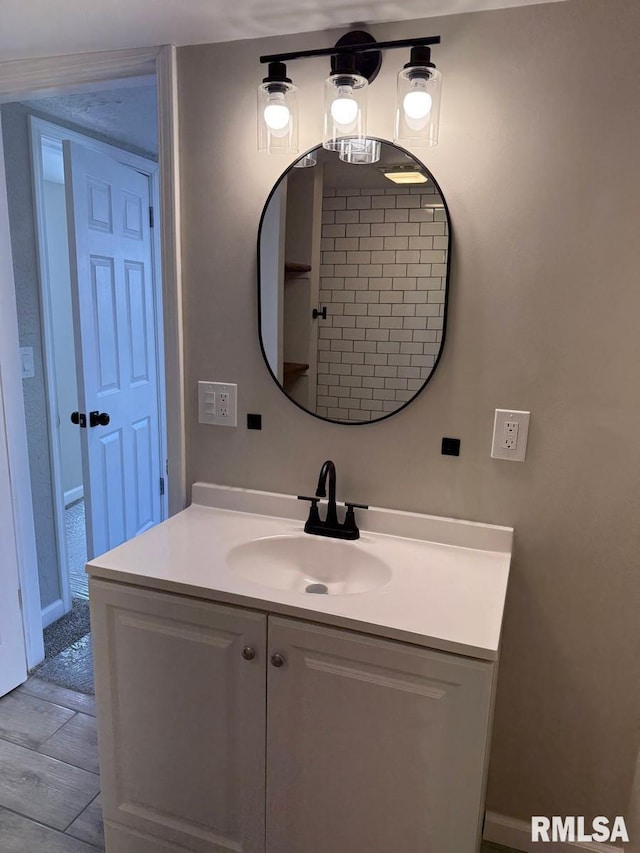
column 181, row 720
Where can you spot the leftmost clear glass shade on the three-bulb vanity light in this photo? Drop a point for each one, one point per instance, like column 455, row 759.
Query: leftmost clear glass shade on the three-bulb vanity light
column 277, row 118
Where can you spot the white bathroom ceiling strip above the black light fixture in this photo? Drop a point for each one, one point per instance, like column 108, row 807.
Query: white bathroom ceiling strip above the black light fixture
column 32, row 28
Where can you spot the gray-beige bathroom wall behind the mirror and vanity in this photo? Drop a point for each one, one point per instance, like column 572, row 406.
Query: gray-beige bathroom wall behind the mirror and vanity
column 538, row 162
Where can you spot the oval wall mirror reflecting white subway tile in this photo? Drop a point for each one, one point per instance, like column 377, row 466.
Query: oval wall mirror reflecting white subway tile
column 353, row 262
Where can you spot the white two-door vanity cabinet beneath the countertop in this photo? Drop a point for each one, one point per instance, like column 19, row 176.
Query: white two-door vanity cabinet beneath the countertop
column 228, row 729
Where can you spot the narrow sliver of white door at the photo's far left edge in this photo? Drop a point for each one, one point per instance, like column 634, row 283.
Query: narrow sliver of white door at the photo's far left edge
column 13, row 666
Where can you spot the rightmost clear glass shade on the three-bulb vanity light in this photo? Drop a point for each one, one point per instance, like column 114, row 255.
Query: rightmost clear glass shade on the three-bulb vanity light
column 418, row 107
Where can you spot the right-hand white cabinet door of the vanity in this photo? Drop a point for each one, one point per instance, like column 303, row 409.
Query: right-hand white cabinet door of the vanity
column 372, row 745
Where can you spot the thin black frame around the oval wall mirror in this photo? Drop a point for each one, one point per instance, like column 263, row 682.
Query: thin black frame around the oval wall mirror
column 446, row 291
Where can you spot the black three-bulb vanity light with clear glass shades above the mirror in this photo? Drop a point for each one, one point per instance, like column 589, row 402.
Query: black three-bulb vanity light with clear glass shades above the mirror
column 355, row 61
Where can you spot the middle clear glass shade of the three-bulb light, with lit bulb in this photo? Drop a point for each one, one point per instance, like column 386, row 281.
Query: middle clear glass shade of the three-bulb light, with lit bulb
column 345, row 110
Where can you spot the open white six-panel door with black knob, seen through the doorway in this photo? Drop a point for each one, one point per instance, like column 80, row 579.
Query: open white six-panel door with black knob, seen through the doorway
column 114, row 311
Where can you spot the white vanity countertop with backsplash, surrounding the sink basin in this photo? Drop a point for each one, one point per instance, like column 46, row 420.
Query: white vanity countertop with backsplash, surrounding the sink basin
column 442, row 594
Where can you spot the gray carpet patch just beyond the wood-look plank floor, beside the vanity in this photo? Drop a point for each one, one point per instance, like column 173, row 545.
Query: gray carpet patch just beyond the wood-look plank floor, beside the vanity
column 68, row 658
